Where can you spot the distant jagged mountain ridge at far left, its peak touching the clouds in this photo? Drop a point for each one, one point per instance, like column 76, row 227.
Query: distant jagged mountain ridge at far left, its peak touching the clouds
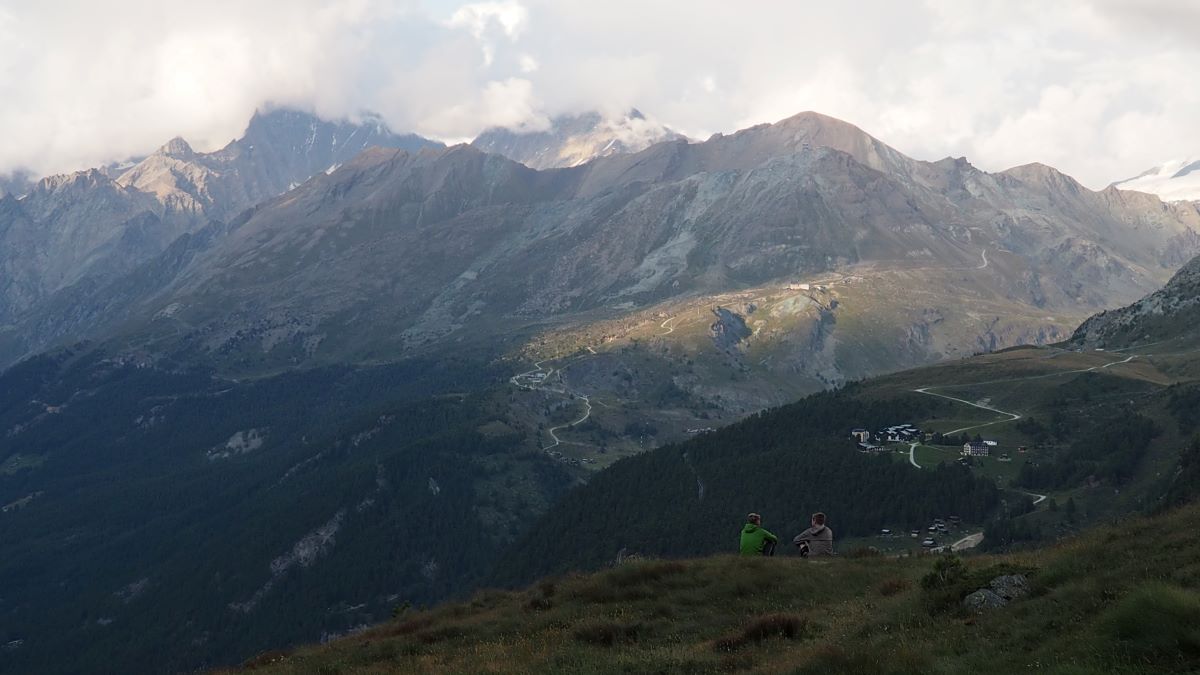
column 97, row 226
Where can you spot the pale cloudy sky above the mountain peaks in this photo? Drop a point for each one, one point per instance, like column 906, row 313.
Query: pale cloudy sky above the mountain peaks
column 1101, row 89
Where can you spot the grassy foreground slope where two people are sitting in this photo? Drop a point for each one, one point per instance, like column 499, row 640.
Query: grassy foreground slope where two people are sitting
column 1121, row 599
